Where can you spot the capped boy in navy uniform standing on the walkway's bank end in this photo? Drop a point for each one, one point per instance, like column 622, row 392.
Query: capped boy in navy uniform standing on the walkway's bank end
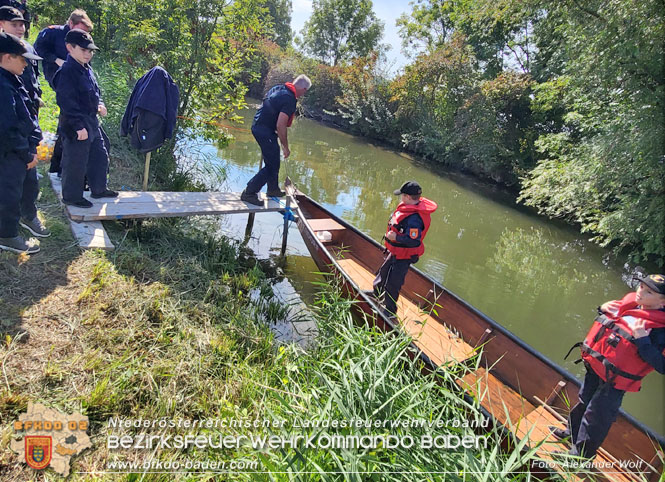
column 78, row 96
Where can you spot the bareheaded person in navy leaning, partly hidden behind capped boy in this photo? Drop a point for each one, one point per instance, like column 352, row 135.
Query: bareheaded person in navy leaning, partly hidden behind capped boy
column 50, row 45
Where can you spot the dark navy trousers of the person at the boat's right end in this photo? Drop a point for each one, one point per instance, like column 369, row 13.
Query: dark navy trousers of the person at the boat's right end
column 590, row 420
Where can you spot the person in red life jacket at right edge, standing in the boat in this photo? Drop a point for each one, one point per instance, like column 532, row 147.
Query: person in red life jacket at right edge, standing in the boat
column 625, row 343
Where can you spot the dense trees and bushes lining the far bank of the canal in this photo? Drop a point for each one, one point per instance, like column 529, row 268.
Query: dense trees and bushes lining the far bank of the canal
column 561, row 101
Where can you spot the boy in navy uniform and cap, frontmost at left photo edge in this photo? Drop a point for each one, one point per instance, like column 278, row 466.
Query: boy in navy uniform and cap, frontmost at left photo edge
column 18, row 147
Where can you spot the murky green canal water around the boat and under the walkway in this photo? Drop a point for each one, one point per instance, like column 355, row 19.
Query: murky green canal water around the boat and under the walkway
column 540, row 279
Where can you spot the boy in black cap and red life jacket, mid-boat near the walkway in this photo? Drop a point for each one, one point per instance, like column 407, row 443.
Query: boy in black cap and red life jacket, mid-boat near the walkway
column 407, row 228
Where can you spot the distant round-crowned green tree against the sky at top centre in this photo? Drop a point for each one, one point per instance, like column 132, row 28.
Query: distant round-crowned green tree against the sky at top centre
column 341, row 30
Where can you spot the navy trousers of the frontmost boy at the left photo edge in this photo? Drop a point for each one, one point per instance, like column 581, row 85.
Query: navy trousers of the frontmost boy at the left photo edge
column 18, row 192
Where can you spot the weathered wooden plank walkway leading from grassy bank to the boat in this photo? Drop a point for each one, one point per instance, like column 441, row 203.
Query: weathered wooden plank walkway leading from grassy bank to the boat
column 135, row 205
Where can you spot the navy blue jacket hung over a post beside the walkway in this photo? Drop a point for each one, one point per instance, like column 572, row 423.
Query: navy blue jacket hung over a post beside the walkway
column 157, row 93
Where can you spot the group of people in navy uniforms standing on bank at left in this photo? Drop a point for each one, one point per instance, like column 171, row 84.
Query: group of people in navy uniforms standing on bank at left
column 65, row 52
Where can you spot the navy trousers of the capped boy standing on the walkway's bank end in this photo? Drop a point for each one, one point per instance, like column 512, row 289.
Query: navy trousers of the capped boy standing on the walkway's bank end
column 81, row 159
